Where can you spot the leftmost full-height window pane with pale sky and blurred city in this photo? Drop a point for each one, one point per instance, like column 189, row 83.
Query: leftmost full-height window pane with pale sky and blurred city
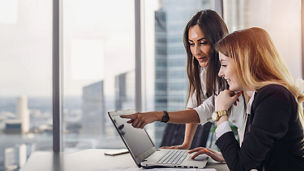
column 26, row 80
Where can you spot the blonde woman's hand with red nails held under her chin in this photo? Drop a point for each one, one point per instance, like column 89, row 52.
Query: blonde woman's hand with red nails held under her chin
column 225, row 99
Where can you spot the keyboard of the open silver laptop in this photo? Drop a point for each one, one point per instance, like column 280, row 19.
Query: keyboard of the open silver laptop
column 173, row 157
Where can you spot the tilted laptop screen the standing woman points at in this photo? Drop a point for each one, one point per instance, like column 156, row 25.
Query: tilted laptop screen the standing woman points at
column 137, row 140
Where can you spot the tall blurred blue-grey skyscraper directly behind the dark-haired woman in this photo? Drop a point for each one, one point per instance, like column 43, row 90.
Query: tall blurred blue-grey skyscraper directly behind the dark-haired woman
column 170, row 56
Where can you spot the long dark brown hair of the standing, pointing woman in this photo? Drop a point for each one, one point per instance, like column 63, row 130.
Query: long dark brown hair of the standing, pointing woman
column 214, row 29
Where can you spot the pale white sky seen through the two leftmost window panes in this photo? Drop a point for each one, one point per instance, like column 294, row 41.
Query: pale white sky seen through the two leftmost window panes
column 98, row 44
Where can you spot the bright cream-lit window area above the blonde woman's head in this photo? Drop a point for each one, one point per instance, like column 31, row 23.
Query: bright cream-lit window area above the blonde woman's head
column 281, row 19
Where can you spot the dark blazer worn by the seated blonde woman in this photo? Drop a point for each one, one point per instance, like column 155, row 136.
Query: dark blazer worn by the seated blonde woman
column 273, row 138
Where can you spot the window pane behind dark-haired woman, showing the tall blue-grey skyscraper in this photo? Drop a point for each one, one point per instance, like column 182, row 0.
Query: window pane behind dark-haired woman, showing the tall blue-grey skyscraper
column 166, row 81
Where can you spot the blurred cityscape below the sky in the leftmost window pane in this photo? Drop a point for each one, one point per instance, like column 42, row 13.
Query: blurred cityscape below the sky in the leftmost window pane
column 26, row 126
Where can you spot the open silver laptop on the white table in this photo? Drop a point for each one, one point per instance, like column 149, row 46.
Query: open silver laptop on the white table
column 143, row 150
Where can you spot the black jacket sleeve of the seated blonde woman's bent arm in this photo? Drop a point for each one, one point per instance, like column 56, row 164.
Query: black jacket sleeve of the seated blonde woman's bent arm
column 271, row 109
